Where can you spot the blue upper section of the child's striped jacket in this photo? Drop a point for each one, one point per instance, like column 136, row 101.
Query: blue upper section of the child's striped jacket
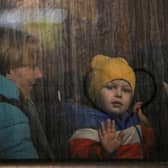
column 78, row 116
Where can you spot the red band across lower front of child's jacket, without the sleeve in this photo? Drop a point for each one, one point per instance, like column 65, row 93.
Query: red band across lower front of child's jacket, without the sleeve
column 89, row 149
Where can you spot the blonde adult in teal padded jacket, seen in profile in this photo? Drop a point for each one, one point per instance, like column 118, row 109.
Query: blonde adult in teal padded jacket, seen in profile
column 21, row 133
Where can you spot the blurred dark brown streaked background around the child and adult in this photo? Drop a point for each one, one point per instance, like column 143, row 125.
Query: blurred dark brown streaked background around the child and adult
column 72, row 32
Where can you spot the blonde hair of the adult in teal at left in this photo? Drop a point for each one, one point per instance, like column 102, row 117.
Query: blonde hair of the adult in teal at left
column 17, row 49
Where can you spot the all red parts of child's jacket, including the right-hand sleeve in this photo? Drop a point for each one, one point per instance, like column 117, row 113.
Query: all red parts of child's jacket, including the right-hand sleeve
column 81, row 148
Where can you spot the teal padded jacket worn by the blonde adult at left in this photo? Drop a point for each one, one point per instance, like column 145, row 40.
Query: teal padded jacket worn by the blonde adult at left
column 15, row 138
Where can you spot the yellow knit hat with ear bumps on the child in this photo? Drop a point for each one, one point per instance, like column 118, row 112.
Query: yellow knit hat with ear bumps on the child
column 106, row 69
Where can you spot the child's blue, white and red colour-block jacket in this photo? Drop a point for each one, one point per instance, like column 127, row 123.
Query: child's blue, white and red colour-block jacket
column 83, row 142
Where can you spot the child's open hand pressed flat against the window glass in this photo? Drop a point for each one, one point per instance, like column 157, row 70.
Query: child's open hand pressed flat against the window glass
column 108, row 137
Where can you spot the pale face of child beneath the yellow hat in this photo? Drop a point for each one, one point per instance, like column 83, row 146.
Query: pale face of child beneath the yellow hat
column 115, row 97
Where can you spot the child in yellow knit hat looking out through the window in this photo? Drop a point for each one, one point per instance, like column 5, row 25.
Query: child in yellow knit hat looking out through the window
column 118, row 134
